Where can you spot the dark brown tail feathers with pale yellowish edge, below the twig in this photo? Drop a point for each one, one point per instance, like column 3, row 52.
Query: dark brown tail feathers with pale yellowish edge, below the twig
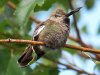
column 27, row 57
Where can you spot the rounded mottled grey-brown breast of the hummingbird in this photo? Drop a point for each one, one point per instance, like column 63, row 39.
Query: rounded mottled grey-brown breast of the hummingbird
column 54, row 37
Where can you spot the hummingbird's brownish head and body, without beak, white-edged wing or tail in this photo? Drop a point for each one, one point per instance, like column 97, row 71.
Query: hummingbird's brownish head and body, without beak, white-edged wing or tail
column 56, row 30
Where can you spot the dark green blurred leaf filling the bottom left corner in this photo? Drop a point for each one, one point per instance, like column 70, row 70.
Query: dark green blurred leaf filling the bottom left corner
column 4, row 59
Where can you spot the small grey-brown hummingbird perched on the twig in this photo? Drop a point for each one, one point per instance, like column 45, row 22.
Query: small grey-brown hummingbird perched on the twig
column 54, row 32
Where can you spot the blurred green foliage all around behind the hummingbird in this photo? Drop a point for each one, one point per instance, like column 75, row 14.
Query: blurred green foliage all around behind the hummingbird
column 16, row 24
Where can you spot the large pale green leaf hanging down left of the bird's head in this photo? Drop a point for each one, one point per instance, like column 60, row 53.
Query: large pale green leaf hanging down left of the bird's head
column 23, row 12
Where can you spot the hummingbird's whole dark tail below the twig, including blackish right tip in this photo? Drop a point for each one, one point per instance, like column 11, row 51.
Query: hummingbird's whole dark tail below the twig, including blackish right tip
column 30, row 55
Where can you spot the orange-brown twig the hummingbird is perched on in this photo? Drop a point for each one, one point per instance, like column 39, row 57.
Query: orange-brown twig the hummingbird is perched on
column 42, row 43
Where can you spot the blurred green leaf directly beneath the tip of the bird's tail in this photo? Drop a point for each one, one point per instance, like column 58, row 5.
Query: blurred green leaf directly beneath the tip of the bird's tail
column 14, row 69
